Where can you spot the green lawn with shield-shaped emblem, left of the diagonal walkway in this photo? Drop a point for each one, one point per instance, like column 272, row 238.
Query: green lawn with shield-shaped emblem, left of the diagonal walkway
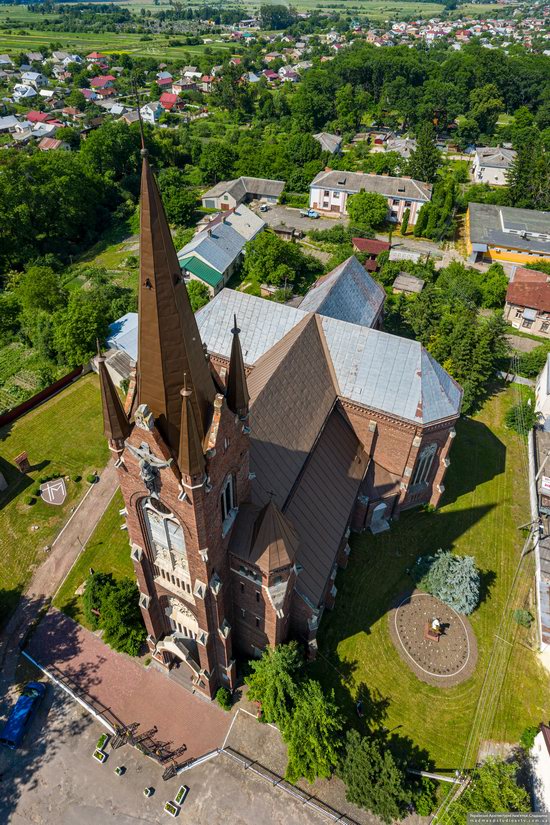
column 65, row 435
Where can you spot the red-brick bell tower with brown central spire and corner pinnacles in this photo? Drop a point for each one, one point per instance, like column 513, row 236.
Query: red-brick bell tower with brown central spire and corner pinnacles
column 182, row 460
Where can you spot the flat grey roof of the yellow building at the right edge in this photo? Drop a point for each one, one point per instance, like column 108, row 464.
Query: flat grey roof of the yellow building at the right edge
column 502, row 226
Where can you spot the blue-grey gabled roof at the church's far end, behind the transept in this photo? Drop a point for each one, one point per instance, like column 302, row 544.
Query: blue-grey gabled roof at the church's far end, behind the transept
column 348, row 293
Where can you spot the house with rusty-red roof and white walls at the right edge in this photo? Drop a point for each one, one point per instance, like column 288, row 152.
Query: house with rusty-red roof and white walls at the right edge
column 528, row 302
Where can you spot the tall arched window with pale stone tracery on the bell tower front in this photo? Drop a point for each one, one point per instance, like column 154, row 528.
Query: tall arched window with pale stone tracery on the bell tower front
column 167, row 542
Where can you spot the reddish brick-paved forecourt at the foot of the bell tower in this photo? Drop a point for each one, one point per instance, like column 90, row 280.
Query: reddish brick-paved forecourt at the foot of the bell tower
column 131, row 692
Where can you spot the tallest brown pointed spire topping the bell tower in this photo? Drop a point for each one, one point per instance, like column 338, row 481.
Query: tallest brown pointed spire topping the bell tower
column 169, row 340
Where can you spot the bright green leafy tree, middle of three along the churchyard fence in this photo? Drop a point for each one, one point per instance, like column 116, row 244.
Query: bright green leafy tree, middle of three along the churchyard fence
column 312, row 735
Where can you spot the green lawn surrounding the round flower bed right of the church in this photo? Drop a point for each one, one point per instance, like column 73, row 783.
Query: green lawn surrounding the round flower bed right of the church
column 486, row 500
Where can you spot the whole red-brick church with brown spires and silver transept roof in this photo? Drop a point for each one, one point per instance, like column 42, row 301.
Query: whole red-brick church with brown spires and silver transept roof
column 254, row 438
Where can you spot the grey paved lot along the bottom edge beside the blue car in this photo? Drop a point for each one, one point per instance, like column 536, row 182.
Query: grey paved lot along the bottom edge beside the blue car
column 53, row 780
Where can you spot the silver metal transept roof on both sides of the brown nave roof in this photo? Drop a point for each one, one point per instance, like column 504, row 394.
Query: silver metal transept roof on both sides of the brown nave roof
column 381, row 371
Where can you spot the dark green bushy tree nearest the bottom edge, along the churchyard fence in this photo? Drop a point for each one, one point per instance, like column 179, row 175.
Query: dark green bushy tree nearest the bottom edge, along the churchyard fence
column 373, row 779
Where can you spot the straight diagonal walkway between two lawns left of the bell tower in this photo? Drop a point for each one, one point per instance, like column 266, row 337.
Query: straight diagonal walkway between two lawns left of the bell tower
column 46, row 580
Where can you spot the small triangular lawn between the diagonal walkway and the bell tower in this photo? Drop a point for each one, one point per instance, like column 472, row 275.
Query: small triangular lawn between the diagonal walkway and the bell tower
column 107, row 551
